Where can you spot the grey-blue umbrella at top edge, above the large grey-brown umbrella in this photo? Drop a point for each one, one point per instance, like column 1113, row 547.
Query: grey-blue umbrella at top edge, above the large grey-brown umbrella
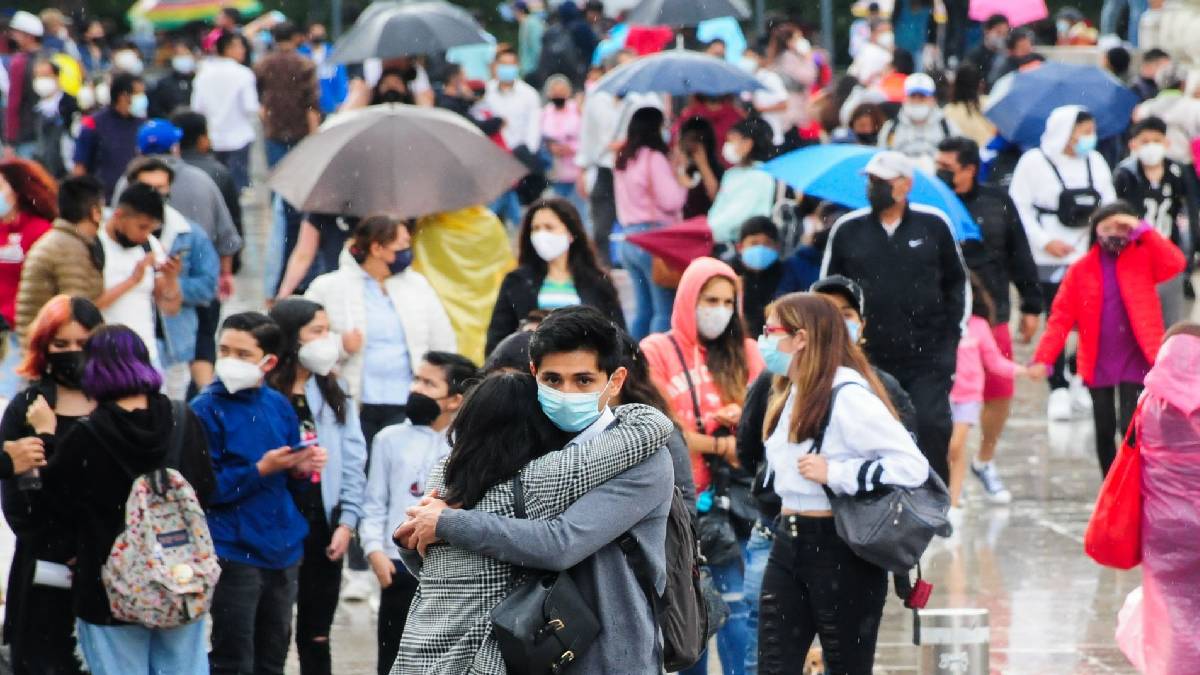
column 389, row 29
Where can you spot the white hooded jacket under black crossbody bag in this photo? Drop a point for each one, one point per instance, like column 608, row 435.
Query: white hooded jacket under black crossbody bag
column 1036, row 187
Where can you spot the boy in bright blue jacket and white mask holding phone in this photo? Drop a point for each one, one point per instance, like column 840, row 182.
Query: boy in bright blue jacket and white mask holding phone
column 259, row 533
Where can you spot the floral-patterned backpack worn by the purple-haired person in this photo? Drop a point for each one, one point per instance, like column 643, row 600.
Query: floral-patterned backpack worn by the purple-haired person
column 163, row 569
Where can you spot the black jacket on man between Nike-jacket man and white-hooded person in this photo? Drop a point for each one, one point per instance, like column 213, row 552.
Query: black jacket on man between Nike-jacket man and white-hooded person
column 1005, row 256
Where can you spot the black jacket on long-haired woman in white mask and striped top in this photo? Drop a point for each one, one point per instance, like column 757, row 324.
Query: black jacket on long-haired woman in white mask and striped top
column 519, row 297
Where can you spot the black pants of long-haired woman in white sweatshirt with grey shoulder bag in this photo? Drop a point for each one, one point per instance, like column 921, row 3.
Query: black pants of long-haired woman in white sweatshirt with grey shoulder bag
column 815, row 586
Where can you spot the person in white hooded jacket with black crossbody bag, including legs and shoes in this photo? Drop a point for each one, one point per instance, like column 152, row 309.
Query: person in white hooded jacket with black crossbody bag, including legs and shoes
column 1057, row 188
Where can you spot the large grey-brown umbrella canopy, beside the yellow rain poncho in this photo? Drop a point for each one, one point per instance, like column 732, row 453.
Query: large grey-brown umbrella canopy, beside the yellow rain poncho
column 400, row 160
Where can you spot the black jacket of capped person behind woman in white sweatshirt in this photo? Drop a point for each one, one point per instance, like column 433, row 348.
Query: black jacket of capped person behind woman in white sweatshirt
column 752, row 449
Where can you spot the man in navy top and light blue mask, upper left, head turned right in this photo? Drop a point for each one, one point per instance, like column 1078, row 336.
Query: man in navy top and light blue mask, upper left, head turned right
column 109, row 139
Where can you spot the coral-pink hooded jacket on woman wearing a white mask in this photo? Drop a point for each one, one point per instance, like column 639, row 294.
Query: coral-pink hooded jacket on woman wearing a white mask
column 668, row 372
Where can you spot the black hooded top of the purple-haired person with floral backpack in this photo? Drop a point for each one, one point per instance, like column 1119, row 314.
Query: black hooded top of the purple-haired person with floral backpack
column 97, row 487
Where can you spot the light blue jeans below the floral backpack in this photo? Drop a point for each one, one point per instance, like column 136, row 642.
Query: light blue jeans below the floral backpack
column 136, row 650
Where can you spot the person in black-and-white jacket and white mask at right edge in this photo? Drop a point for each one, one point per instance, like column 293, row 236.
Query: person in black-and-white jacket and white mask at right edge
column 1156, row 187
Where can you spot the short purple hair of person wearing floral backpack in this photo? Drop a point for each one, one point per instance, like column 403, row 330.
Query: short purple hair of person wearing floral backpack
column 118, row 366
